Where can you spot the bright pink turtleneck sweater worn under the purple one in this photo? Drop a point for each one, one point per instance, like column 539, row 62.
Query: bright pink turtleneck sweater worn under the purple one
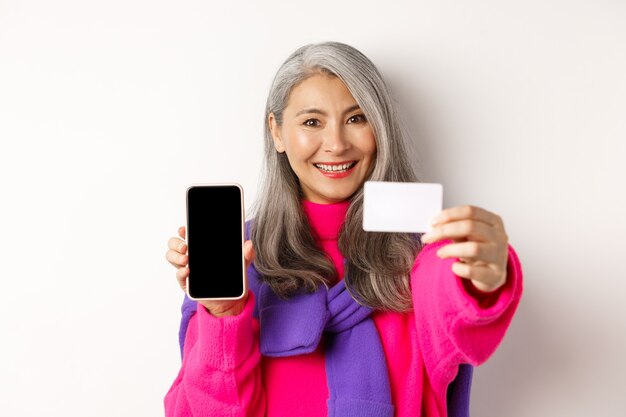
column 224, row 374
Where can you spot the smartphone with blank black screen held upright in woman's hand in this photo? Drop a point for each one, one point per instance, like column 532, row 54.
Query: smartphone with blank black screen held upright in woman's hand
column 215, row 238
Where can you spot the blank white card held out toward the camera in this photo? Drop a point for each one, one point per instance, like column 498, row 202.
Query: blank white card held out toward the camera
column 401, row 207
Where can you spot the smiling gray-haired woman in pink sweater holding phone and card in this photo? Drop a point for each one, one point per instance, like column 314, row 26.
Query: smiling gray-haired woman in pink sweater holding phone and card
column 339, row 321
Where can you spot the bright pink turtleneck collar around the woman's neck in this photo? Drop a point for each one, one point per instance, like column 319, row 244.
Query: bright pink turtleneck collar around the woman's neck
column 326, row 219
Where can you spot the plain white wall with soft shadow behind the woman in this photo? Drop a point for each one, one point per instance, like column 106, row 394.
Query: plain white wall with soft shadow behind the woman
column 108, row 110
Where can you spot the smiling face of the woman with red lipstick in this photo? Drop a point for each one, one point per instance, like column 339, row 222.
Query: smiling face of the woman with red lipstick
column 330, row 145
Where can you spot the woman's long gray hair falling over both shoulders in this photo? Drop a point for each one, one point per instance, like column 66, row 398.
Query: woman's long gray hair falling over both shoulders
column 288, row 258
